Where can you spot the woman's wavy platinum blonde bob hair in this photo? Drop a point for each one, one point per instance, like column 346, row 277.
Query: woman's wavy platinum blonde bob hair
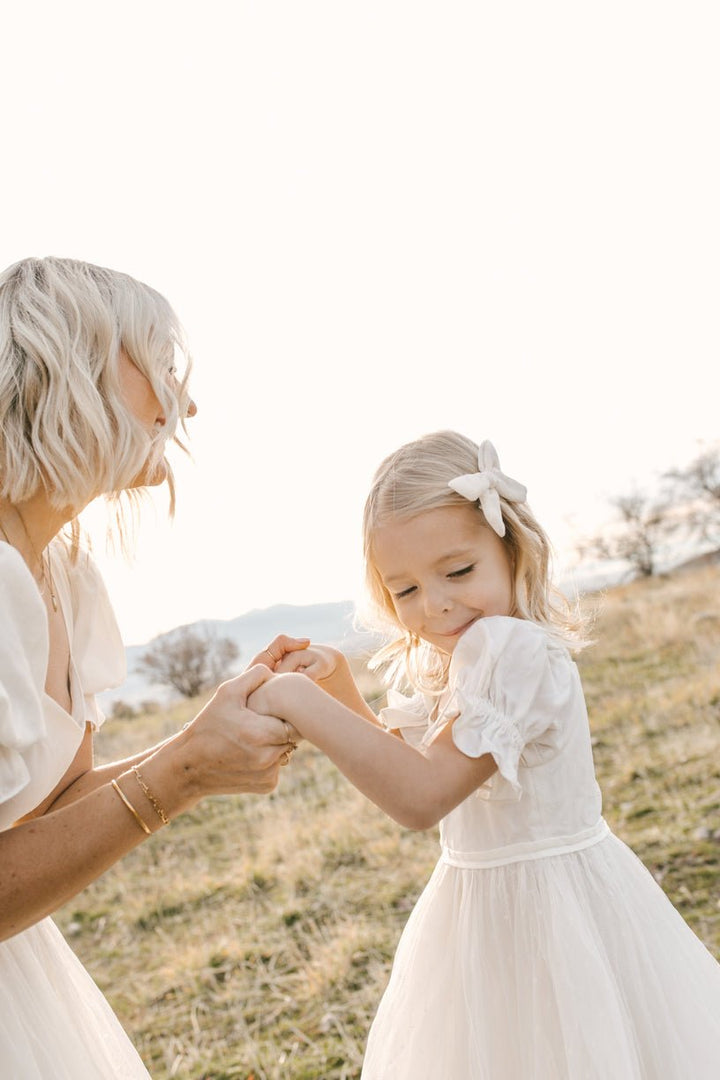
column 65, row 426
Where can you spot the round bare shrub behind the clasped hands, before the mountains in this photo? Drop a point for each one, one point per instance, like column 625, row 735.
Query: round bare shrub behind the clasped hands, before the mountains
column 189, row 661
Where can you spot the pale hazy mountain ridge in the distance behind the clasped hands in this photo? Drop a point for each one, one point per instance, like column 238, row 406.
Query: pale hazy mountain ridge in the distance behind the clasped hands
column 332, row 624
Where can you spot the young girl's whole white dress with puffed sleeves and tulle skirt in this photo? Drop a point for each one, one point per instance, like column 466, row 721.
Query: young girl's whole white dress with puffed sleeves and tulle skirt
column 541, row 949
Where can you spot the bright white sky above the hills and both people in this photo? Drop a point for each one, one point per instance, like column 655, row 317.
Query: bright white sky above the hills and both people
column 378, row 220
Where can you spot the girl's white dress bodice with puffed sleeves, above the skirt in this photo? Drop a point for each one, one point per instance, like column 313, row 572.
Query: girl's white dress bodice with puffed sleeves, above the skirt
column 515, row 693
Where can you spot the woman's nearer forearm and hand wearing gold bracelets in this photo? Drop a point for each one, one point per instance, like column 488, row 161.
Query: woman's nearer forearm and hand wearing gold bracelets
column 227, row 749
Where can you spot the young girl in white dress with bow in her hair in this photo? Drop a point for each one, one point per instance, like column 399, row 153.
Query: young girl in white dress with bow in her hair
column 541, row 949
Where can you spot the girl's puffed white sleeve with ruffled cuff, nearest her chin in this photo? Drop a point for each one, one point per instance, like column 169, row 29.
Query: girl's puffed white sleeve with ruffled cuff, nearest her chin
column 510, row 683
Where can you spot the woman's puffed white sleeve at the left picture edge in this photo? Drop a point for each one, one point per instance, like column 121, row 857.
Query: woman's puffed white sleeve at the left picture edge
column 23, row 667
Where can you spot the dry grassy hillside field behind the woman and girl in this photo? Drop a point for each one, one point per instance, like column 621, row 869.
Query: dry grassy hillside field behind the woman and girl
column 252, row 939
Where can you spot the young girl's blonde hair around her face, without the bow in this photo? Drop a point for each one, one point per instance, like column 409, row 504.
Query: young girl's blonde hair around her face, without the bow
column 414, row 480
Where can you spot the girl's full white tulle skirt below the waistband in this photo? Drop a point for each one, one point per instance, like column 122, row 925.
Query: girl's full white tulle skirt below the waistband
column 573, row 967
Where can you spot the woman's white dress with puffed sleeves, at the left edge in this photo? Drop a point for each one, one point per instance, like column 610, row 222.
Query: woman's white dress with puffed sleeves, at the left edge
column 55, row 1022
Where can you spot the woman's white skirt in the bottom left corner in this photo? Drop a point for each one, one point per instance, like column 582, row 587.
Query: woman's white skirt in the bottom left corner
column 55, row 1022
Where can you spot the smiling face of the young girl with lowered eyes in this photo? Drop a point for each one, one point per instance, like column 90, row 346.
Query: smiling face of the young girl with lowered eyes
column 444, row 570
